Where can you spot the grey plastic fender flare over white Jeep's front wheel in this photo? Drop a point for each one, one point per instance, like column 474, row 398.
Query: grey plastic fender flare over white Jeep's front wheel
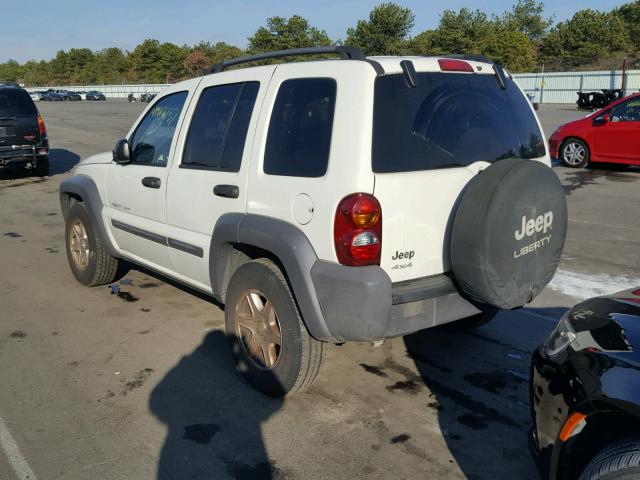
column 84, row 187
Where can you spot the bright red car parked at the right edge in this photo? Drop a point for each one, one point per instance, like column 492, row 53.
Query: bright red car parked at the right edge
column 608, row 135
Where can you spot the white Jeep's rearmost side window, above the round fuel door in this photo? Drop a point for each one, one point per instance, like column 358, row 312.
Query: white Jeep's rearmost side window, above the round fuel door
column 299, row 137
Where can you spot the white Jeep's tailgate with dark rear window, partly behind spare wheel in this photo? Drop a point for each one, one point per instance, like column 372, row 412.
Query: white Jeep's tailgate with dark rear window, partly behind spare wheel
column 428, row 142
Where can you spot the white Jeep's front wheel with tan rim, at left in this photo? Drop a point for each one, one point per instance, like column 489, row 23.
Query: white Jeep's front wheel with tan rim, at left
column 88, row 259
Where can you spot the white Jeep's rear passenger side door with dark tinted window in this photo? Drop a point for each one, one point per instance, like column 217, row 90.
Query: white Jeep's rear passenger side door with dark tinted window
column 209, row 177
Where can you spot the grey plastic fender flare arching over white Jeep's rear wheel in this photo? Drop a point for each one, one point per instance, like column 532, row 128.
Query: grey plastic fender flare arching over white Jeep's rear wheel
column 282, row 239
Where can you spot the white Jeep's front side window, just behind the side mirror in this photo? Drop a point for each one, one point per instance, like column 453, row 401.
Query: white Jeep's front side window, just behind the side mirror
column 150, row 143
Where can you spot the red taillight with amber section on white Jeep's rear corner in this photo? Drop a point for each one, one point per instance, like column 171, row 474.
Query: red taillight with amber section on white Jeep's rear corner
column 357, row 230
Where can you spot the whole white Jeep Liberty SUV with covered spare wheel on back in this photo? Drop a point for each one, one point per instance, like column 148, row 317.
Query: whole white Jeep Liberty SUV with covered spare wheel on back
column 349, row 201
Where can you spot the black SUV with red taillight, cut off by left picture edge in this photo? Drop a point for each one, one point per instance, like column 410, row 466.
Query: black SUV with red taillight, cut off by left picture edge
column 23, row 136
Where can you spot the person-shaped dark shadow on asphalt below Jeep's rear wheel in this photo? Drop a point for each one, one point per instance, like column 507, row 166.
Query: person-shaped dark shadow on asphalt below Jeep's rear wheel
column 213, row 418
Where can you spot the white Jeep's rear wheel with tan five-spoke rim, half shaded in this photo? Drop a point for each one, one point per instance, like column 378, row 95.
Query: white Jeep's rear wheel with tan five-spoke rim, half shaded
column 269, row 342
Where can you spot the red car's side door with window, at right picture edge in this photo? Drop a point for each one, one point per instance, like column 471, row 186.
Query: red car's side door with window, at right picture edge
column 619, row 139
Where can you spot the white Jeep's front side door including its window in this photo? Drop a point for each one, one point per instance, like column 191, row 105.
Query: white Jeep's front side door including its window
column 136, row 191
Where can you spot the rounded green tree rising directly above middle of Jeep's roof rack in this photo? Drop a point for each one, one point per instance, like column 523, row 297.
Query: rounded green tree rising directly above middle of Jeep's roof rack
column 282, row 33
